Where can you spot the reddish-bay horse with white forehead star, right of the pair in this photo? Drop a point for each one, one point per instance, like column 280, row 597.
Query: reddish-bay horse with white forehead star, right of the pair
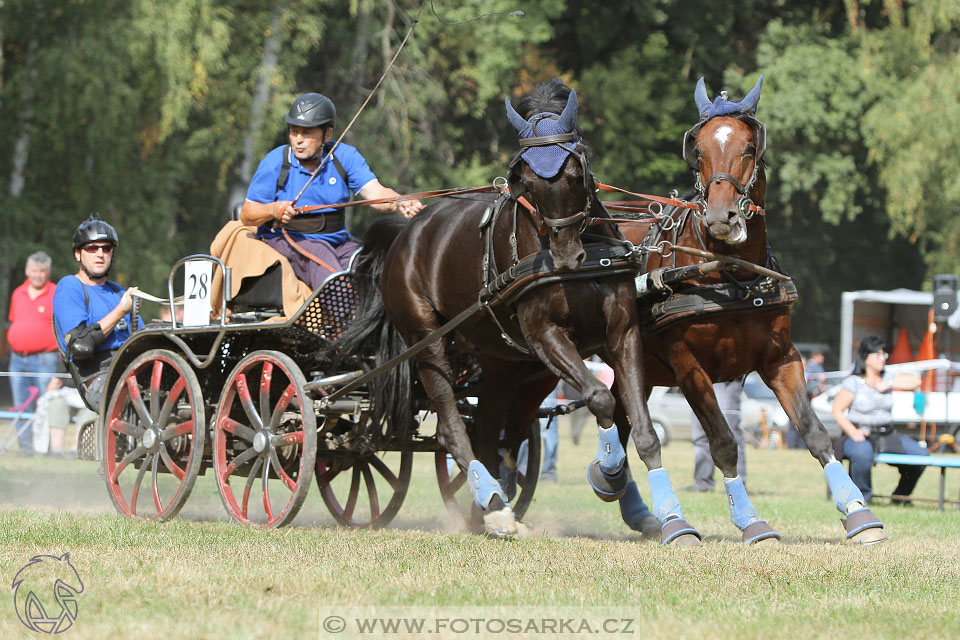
column 751, row 329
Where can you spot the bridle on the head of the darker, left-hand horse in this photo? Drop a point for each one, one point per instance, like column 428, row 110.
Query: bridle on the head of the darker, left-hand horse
column 518, row 189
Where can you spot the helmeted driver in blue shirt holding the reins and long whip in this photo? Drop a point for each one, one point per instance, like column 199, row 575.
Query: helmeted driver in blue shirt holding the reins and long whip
column 322, row 244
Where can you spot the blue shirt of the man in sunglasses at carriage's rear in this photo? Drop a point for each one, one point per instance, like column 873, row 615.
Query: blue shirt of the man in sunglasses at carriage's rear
column 71, row 308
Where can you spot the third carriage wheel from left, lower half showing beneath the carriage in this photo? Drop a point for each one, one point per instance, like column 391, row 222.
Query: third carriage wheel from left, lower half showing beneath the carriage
column 356, row 508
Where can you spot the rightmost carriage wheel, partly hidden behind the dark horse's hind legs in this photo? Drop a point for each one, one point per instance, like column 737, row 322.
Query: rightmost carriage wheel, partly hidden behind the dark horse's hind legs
column 456, row 495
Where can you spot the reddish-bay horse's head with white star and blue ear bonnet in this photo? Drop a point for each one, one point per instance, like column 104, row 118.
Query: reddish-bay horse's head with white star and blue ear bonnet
column 728, row 145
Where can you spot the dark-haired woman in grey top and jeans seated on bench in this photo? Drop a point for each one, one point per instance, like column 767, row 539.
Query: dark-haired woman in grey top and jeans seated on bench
column 864, row 407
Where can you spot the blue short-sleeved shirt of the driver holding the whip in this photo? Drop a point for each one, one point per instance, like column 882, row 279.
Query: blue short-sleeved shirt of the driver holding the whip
column 327, row 188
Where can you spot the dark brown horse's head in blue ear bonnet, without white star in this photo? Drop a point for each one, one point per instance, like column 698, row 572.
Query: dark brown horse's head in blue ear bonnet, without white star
column 559, row 191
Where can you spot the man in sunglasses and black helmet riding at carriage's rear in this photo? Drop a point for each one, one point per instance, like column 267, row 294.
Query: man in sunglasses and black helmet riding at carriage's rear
column 91, row 314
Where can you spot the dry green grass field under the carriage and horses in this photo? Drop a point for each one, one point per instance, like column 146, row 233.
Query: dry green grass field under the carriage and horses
column 200, row 576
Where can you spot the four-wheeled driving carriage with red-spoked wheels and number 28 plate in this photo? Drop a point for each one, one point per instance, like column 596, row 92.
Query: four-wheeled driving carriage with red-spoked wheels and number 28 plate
column 246, row 397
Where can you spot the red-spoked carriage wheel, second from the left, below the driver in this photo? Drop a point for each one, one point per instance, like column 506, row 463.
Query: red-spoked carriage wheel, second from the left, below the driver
column 264, row 440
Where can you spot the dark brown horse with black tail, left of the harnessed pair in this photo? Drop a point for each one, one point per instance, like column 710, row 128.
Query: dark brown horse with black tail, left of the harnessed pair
column 415, row 275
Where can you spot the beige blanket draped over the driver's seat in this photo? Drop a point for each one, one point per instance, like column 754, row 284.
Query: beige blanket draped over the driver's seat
column 248, row 257
